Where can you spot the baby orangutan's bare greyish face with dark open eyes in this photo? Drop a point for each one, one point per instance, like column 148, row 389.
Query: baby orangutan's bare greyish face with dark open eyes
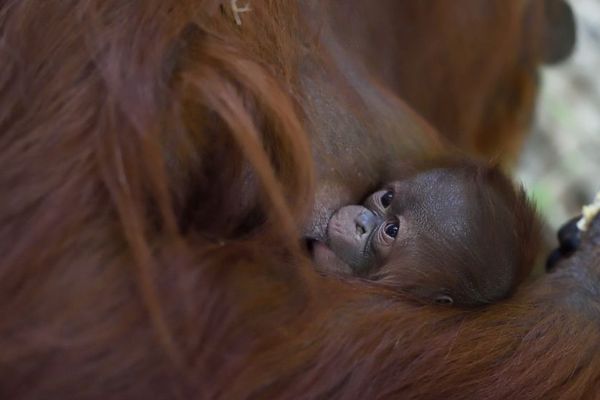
column 362, row 237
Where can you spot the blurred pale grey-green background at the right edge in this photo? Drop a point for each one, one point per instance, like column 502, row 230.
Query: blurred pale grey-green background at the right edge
column 561, row 162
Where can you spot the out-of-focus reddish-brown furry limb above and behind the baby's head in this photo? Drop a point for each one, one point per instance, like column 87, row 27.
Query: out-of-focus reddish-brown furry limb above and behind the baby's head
column 490, row 77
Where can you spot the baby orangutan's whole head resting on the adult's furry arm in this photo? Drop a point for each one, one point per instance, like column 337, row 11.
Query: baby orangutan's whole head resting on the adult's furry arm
column 459, row 233
